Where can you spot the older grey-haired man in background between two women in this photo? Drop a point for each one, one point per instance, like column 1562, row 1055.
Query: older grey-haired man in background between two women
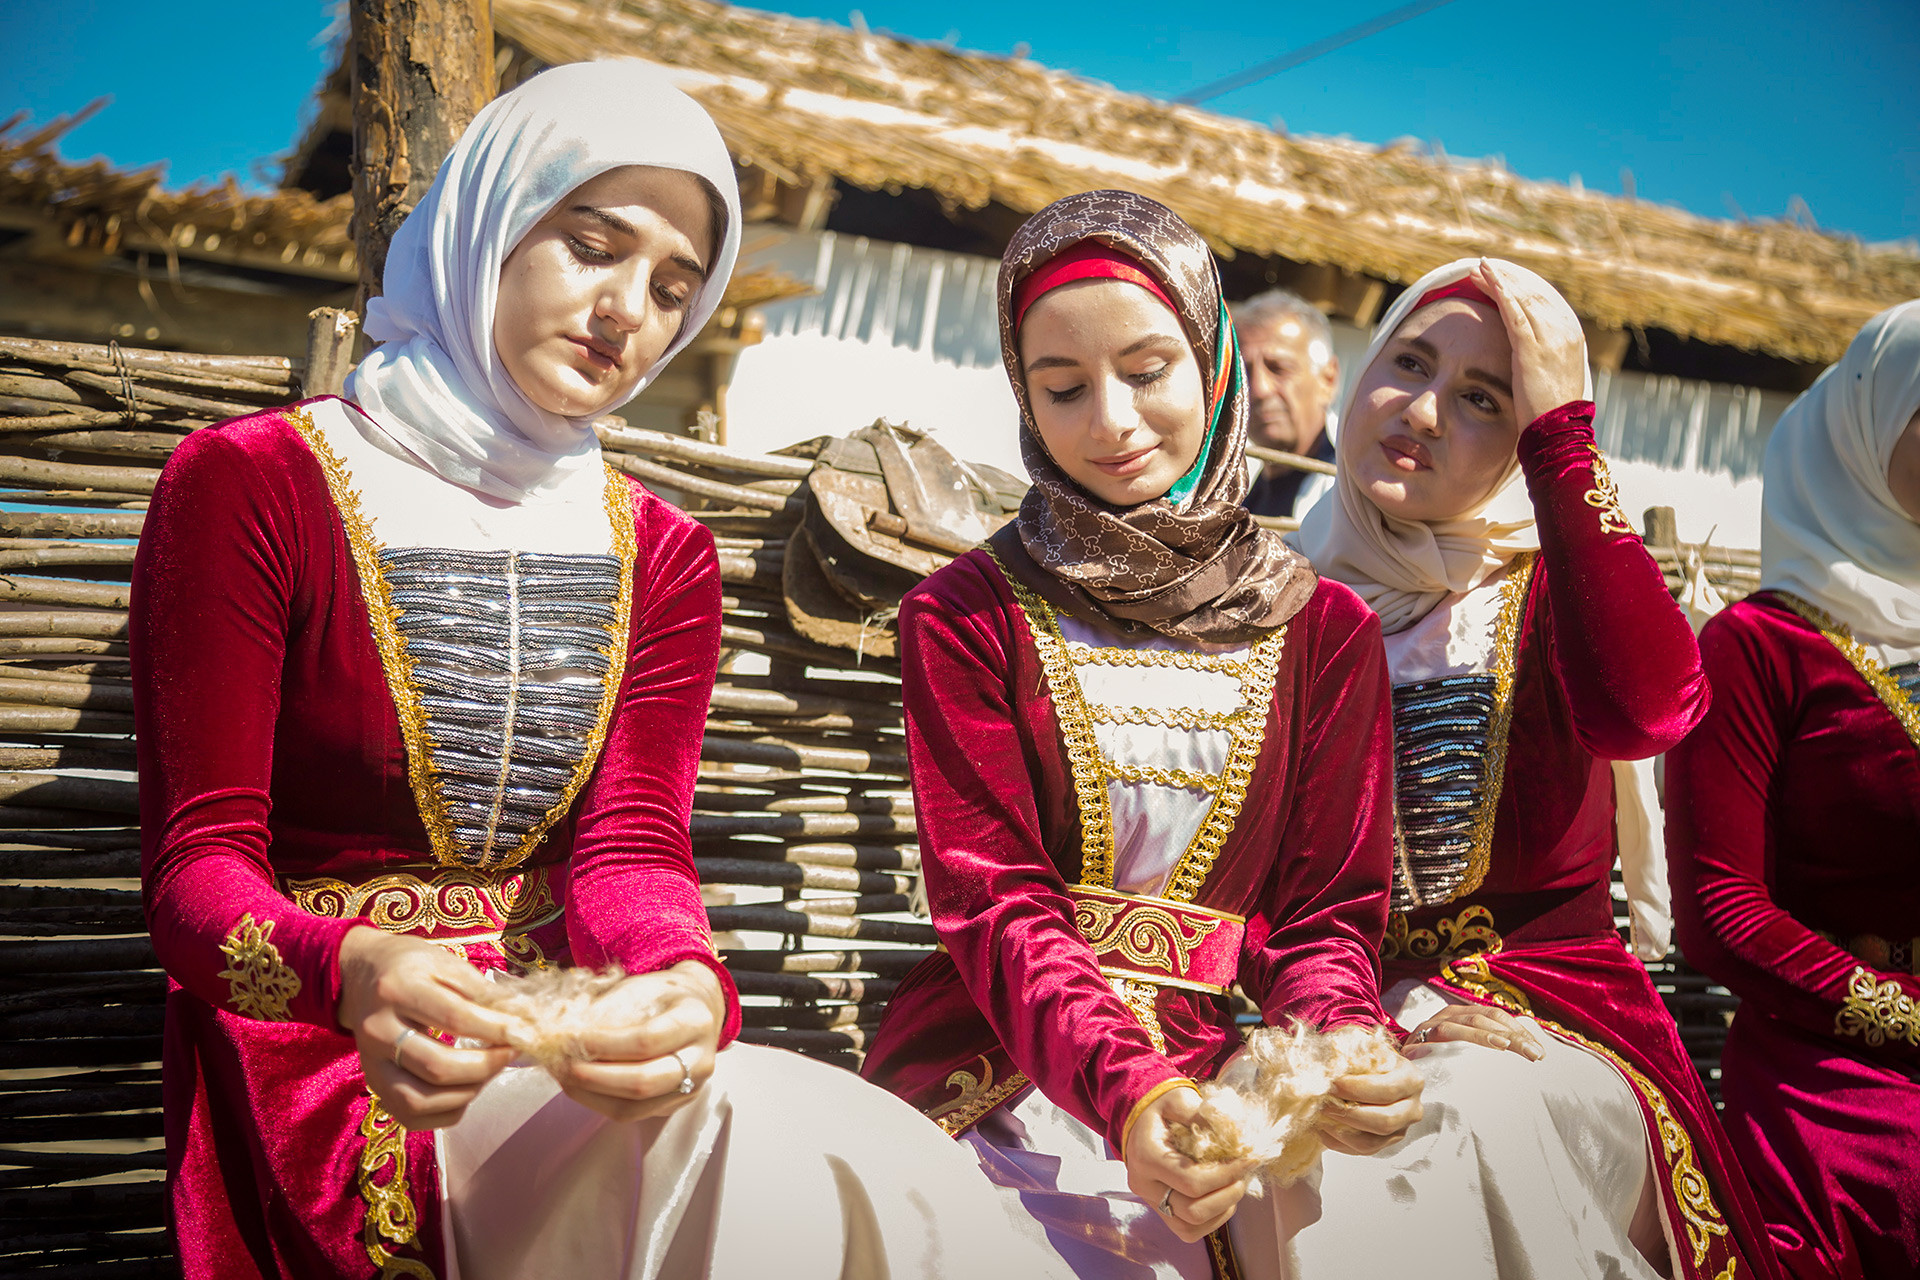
column 1291, row 373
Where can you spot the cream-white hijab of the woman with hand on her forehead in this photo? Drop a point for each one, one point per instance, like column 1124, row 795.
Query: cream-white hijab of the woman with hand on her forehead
column 1406, row 567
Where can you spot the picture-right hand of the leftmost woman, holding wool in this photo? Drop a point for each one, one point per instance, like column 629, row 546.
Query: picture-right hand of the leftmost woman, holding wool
column 646, row 1022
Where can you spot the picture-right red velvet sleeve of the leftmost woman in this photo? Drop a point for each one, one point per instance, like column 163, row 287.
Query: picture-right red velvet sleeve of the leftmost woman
column 635, row 895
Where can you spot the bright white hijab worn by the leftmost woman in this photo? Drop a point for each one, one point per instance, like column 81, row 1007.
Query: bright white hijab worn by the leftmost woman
column 437, row 385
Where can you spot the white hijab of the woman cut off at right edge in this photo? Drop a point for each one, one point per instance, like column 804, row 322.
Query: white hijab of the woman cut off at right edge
column 1831, row 531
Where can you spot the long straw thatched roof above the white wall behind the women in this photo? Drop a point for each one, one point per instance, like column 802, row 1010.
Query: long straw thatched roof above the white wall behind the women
column 815, row 101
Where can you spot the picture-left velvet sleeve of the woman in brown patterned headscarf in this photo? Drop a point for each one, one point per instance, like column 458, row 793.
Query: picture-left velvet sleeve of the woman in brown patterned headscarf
column 996, row 897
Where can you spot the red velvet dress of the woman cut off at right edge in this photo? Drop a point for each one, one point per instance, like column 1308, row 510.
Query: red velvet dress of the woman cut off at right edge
column 1794, row 817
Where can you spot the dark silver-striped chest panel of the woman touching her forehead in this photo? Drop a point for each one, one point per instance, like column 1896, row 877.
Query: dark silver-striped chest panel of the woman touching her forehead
column 1441, row 736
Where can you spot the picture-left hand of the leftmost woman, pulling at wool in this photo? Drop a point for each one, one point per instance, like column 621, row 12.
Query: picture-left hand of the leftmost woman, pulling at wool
column 396, row 997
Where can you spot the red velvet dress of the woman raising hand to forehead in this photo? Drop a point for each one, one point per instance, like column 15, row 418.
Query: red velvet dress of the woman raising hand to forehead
column 1604, row 667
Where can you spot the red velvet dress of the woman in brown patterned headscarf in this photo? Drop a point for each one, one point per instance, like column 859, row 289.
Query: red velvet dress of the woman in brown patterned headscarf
column 1019, row 993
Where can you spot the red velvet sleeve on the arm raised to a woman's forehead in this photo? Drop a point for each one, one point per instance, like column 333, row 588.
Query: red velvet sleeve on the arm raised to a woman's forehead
column 1623, row 650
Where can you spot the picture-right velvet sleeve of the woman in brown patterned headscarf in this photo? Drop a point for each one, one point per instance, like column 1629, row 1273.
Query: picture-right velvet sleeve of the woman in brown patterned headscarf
column 1312, row 947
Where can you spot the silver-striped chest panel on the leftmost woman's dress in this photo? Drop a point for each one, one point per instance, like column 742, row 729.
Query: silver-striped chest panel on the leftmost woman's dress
column 510, row 657
